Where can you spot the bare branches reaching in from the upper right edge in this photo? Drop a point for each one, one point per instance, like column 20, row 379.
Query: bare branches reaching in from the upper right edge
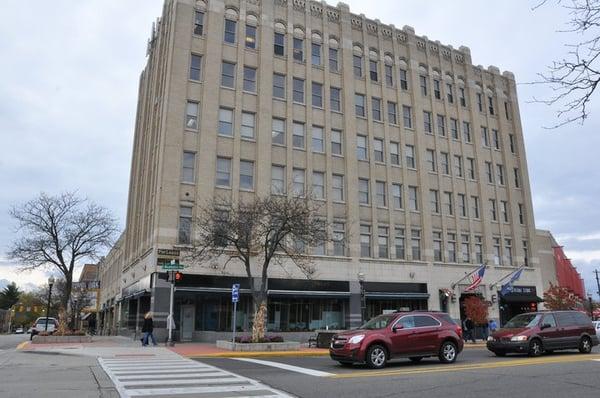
column 574, row 78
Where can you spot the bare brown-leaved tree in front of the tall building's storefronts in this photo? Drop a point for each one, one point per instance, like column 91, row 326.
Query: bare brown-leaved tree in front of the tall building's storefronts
column 274, row 229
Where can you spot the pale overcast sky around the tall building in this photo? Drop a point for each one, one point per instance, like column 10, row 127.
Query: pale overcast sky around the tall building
column 68, row 90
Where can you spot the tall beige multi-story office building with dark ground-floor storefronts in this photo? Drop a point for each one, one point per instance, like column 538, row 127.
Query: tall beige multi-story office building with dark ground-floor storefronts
column 416, row 155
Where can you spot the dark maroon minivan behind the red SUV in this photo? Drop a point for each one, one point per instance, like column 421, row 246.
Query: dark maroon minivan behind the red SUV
column 537, row 332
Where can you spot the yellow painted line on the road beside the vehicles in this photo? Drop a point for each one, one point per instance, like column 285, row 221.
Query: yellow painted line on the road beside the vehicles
column 478, row 366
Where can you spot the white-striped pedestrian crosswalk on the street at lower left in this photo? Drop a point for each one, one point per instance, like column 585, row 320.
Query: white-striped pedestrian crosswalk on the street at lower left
column 175, row 375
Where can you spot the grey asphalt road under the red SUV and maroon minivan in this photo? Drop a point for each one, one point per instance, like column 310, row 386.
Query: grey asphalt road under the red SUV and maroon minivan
column 477, row 373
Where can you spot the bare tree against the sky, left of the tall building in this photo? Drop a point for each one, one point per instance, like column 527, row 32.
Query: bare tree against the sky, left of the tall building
column 57, row 232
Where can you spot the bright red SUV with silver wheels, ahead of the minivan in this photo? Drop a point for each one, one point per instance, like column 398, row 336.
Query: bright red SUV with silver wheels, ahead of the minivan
column 413, row 335
